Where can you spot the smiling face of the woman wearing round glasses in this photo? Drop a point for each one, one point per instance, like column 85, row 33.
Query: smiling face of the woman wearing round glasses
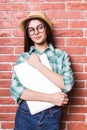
column 37, row 31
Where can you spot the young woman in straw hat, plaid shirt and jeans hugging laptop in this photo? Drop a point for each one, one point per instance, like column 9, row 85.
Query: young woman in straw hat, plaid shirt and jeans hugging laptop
column 38, row 40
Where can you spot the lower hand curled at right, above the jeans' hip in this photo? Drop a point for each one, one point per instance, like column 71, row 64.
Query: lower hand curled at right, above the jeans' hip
column 59, row 98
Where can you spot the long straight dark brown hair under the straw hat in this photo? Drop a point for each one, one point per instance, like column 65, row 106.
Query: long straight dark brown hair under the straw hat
column 27, row 40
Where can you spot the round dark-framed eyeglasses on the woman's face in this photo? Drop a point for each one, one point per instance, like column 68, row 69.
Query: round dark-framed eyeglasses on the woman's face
column 40, row 29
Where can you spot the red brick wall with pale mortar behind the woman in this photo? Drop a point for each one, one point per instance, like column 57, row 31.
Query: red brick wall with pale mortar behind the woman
column 70, row 32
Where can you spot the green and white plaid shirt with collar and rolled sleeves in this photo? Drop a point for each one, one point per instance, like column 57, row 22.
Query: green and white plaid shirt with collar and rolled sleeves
column 59, row 61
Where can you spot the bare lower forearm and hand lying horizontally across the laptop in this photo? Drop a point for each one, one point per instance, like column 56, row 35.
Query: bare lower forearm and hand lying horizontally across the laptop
column 58, row 98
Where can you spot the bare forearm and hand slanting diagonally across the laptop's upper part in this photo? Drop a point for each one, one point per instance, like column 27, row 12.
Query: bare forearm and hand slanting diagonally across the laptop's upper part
column 57, row 79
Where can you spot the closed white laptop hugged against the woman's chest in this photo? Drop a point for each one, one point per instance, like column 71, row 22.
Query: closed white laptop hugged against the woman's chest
column 35, row 80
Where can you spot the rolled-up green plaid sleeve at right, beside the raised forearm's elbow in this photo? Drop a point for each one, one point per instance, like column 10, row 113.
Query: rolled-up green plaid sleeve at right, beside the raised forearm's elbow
column 67, row 73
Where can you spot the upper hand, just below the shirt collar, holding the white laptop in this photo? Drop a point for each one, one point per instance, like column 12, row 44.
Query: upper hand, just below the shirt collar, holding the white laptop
column 34, row 60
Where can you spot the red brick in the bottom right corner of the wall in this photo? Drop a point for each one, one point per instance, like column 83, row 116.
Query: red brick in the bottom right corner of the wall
column 77, row 126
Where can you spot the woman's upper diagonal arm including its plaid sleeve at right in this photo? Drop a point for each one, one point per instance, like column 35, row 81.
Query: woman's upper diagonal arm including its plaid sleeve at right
column 64, row 80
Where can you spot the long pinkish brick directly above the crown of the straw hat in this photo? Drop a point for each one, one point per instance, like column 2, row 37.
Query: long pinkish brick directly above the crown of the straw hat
column 47, row 6
